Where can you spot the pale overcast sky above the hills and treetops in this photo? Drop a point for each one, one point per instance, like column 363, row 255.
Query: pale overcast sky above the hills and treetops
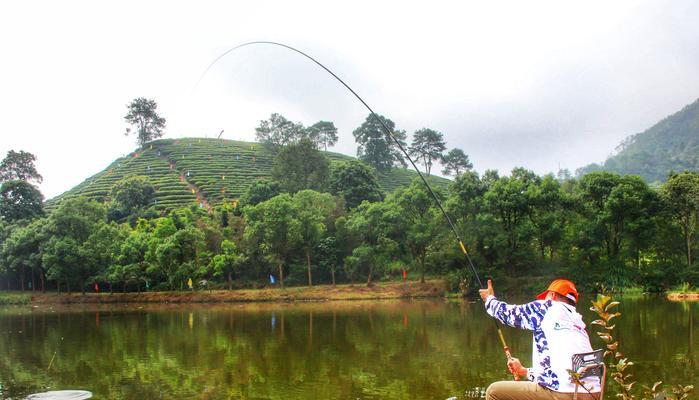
column 524, row 83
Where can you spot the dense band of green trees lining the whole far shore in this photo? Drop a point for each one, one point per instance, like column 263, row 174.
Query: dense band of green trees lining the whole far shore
column 602, row 229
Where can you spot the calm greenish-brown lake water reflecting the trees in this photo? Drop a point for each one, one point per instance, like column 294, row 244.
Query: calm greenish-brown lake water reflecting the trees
column 357, row 350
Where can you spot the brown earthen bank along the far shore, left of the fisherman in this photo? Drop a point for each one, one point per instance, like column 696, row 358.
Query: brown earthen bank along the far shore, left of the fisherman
column 320, row 293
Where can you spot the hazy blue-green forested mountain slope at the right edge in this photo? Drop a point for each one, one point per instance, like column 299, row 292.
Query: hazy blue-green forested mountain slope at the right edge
column 670, row 145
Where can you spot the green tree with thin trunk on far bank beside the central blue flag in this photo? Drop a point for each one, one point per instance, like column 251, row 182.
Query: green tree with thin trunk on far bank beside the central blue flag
column 274, row 226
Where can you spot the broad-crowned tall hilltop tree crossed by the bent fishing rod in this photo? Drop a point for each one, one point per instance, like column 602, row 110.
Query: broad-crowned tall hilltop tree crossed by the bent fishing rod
column 375, row 147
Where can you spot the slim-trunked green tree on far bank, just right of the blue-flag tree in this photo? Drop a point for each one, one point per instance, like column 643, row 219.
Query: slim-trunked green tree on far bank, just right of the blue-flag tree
column 314, row 212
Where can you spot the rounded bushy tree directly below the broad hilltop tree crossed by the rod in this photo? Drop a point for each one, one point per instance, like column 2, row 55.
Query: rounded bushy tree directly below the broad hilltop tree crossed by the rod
column 355, row 182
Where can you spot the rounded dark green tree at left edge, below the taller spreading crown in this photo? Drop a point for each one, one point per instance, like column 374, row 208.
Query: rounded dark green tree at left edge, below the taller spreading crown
column 20, row 200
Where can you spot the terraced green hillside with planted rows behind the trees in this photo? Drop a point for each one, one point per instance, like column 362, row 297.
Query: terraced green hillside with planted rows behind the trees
column 192, row 170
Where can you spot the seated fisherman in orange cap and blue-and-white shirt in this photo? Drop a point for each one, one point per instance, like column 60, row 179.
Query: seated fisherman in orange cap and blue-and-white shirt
column 559, row 332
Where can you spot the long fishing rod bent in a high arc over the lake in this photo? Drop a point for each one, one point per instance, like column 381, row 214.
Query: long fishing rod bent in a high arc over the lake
column 400, row 146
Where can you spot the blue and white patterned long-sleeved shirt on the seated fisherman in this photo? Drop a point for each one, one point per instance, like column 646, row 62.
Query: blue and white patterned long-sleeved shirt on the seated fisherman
column 559, row 332
